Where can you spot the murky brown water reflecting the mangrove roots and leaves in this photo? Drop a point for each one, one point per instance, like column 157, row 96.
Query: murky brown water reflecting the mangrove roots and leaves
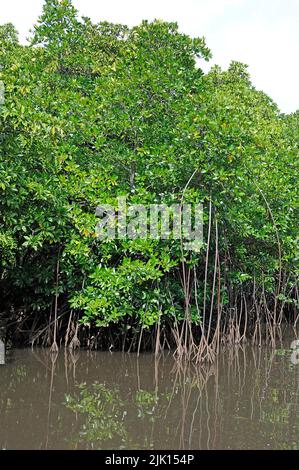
column 249, row 400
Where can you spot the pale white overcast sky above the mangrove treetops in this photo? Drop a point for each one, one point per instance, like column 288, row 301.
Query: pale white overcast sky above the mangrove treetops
column 261, row 33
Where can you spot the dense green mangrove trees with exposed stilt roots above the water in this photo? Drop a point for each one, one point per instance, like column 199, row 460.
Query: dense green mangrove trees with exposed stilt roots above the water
column 95, row 111
